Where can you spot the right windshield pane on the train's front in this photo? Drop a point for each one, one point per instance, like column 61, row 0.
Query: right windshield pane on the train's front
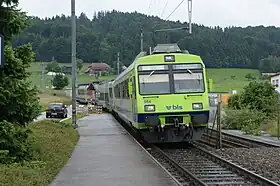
column 189, row 82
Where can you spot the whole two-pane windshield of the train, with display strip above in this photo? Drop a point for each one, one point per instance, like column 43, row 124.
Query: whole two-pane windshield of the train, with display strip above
column 171, row 79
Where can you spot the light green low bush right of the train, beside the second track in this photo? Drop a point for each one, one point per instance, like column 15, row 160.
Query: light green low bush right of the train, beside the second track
column 246, row 120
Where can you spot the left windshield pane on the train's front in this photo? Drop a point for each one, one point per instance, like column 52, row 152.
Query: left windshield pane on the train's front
column 154, row 83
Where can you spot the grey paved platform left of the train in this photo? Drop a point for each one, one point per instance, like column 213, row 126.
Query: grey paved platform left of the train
column 106, row 155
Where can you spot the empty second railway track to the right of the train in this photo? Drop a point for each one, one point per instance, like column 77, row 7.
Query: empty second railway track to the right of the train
column 211, row 138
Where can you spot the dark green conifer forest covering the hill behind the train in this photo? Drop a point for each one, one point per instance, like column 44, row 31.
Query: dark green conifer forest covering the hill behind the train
column 101, row 37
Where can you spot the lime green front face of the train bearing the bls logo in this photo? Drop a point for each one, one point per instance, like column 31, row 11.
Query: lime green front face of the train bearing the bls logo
column 173, row 103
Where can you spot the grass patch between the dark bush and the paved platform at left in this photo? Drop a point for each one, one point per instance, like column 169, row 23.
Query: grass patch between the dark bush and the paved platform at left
column 55, row 144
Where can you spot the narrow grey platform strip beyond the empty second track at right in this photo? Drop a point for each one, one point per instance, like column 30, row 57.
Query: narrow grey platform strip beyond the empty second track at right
column 265, row 137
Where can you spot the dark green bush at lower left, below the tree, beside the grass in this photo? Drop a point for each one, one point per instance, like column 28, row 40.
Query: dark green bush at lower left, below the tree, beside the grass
column 14, row 143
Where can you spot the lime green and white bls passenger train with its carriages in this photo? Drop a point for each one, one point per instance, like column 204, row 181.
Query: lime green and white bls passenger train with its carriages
column 162, row 95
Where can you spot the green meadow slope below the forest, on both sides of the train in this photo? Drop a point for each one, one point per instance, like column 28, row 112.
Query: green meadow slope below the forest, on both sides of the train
column 224, row 79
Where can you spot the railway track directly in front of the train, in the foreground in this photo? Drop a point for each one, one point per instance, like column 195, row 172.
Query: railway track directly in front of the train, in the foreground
column 195, row 166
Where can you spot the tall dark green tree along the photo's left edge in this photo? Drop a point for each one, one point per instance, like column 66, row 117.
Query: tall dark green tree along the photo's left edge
column 19, row 100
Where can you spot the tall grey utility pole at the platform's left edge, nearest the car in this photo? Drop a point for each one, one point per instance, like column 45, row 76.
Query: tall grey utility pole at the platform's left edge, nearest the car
column 74, row 66
